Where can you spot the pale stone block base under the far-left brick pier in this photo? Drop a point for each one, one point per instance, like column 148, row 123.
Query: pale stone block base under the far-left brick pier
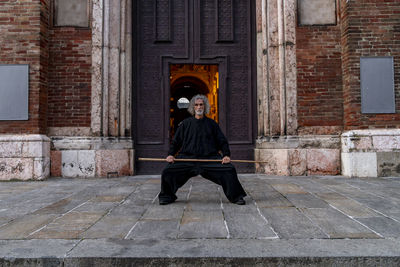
column 24, row 157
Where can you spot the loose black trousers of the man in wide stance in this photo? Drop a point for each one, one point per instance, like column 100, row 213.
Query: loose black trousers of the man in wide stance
column 175, row 175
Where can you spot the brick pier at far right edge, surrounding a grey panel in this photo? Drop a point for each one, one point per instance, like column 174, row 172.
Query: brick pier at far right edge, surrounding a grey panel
column 370, row 28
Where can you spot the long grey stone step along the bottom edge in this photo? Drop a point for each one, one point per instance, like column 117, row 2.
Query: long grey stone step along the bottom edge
column 200, row 252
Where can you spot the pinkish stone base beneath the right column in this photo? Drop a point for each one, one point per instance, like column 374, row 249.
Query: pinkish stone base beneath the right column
column 298, row 155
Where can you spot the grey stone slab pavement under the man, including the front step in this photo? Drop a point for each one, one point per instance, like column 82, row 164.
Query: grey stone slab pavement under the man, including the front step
column 290, row 221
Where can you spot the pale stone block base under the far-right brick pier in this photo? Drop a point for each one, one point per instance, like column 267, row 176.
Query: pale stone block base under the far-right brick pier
column 371, row 153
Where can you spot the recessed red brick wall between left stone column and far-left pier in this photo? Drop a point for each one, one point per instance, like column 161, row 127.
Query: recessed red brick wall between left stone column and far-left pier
column 70, row 77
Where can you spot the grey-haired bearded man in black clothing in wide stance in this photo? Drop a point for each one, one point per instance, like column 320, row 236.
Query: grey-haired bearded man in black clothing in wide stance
column 200, row 137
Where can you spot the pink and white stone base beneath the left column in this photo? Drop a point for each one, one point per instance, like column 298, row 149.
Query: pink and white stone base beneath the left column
column 92, row 157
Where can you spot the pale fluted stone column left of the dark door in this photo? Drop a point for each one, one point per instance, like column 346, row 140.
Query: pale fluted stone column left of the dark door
column 111, row 78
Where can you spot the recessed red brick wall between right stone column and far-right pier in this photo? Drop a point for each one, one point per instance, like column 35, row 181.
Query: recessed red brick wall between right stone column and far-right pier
column 319, row 78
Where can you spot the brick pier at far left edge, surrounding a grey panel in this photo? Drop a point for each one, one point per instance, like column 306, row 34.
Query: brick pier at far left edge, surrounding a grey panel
column 21, row 42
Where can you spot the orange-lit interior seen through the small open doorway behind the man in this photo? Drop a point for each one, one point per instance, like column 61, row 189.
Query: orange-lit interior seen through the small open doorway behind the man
column 188, row 80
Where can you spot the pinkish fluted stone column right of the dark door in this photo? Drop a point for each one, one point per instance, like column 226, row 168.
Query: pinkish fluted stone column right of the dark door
column 277, row 96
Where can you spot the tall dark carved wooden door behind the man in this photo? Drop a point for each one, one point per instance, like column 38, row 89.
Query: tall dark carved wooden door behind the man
column 195, row 34
